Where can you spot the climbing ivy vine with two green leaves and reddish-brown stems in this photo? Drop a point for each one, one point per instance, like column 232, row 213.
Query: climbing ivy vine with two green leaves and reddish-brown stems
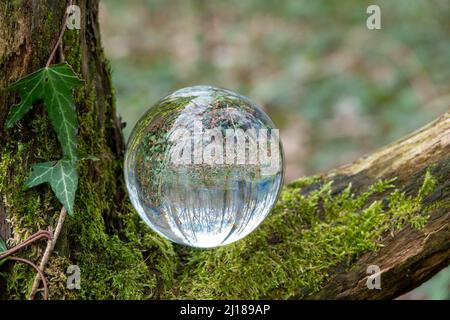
column 52, row 85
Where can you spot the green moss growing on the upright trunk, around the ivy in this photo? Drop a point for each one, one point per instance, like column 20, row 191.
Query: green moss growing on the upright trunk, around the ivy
column 119, row 257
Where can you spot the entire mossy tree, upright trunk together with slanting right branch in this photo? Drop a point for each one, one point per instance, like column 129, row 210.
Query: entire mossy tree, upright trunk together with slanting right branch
column 317, row 243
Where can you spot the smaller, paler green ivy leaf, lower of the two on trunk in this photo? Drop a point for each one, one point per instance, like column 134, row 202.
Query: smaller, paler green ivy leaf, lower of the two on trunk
column 62, row 177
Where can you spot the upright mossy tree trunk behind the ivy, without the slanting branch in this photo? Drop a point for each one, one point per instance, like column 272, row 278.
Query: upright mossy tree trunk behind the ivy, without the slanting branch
column 96, row 234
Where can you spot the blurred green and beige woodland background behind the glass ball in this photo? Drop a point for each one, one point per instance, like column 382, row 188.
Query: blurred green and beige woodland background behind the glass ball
column 336, row 89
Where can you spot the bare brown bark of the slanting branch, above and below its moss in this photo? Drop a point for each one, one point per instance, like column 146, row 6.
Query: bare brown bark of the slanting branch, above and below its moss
column 412, row 256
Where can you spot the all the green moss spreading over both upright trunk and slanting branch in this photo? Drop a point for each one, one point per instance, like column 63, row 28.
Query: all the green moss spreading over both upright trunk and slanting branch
column 120, row 257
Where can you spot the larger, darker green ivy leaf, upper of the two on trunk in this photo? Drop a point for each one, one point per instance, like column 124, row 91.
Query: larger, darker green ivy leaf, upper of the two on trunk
column 53, row 85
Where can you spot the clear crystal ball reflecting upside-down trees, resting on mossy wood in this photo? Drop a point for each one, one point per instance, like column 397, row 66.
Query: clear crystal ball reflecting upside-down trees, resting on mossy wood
column 204, row 166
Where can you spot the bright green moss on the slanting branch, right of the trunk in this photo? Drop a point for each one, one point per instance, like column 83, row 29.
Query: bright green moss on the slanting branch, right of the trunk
column 301, row 240
